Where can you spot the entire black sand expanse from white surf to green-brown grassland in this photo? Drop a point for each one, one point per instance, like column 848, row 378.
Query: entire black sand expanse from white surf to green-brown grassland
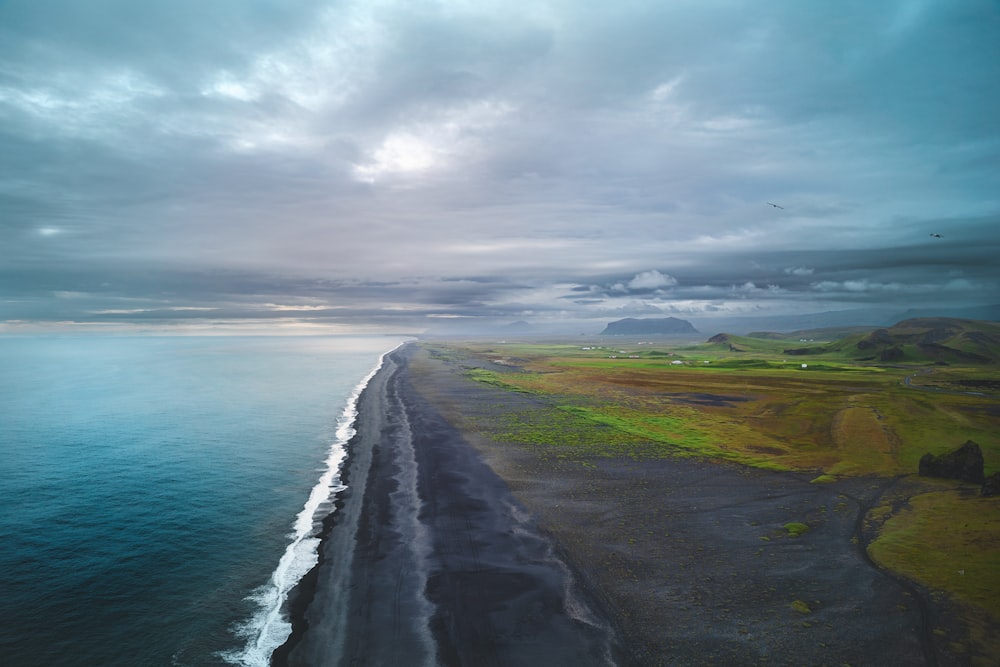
column 454, row 548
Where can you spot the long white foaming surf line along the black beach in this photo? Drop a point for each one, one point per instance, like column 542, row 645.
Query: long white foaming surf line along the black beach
column 269, row 627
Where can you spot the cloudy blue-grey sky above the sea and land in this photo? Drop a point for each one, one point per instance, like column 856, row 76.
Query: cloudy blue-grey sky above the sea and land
column 404, row 164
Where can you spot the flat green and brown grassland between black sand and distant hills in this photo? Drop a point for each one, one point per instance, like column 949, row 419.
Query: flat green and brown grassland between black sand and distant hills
column 831, row 417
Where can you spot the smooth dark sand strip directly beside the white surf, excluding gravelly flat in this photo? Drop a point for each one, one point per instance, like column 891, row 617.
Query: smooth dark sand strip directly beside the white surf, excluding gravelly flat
column 429, row 558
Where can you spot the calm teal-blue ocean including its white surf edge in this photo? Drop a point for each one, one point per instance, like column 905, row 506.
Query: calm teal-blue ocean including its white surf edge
column 160, row 495
